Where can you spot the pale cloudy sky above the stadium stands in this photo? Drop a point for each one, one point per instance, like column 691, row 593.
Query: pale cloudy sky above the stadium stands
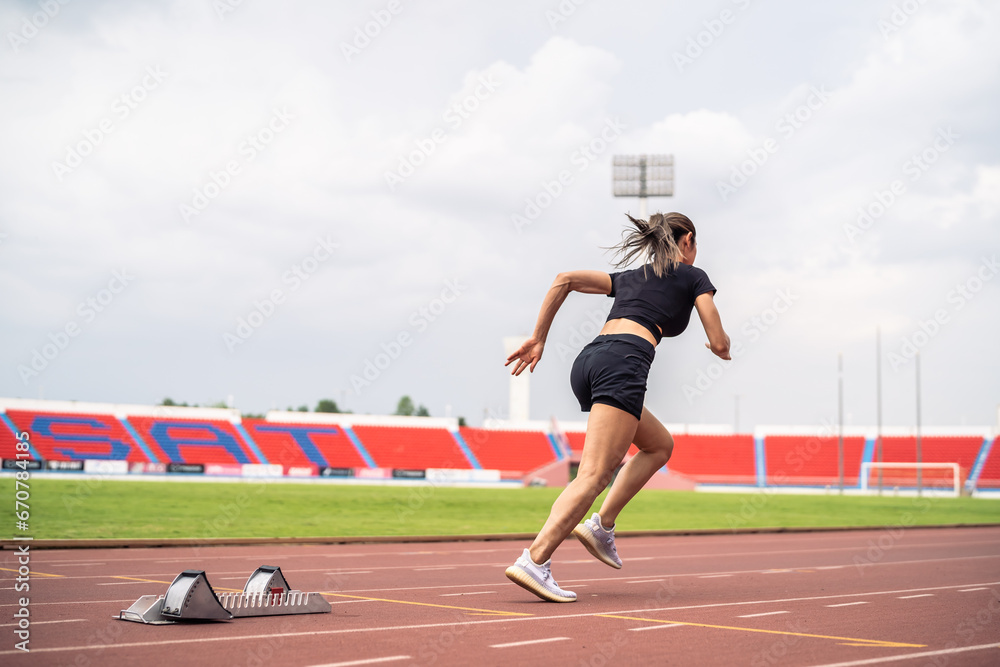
column 282, row 202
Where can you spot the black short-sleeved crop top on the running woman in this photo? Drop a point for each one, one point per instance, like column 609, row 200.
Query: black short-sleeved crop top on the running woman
column 658, row 303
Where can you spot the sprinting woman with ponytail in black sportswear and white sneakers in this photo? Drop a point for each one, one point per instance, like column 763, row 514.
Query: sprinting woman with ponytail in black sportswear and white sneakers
column 609, row 380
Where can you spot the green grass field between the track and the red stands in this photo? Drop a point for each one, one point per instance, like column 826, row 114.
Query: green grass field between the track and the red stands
column 87, row 509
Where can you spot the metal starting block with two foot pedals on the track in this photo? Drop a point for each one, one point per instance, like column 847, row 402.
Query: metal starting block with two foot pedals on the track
column 190, row 598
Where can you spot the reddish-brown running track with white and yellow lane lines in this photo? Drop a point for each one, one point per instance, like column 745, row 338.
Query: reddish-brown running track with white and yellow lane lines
column 914, row 597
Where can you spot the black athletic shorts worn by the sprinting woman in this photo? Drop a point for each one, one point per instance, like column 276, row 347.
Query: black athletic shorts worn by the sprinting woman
column 612, row 370
